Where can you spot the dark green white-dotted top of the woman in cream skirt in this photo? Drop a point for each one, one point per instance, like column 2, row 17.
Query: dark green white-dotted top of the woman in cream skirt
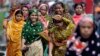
column 30, row 31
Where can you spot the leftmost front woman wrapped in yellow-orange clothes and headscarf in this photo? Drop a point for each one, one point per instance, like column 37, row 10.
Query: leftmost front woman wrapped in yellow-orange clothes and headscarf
column 14, row 29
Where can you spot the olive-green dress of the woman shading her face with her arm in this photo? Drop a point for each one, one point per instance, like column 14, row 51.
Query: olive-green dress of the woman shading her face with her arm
column 58, row 35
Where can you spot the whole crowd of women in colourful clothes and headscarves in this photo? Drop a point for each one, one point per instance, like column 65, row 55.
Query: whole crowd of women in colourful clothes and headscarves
column 52, row 31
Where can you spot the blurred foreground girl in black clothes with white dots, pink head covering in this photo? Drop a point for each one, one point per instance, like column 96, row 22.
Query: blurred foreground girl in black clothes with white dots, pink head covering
column 85, row 42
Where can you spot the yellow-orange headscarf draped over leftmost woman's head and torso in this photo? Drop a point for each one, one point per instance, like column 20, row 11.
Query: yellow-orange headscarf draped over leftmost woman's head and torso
column 14, row 28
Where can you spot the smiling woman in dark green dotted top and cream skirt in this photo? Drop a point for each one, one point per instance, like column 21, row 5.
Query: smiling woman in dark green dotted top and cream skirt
column 31, row 39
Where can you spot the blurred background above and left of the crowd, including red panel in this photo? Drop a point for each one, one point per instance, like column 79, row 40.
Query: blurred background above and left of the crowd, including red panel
column 5, row 6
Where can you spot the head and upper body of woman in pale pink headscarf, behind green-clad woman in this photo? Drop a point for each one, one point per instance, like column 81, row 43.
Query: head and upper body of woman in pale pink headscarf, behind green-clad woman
column 44, row 17
